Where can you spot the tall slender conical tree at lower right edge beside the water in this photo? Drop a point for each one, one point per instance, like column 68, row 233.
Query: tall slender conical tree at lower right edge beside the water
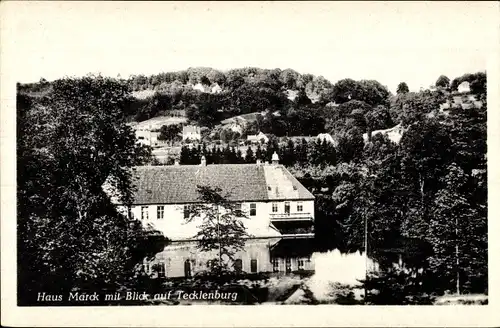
column 458, row 233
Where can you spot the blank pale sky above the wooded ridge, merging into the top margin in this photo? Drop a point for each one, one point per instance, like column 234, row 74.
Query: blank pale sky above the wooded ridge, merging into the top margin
column 391, row 42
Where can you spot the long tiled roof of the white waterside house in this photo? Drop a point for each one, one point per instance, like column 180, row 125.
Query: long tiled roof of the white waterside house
column 177, row 184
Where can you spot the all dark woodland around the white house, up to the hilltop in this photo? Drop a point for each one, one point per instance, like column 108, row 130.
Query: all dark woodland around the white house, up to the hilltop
column 431, row 186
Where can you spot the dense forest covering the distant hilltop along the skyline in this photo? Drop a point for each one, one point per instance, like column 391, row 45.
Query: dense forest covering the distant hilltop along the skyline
column 315, row 105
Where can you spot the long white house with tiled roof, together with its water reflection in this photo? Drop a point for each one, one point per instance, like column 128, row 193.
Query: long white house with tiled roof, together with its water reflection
column 279, row 215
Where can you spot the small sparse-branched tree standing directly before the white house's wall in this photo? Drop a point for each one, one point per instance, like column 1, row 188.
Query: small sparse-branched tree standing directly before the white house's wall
column 222, row 231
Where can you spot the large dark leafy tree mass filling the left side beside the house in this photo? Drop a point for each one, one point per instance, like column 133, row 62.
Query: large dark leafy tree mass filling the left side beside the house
column 70, row 236
